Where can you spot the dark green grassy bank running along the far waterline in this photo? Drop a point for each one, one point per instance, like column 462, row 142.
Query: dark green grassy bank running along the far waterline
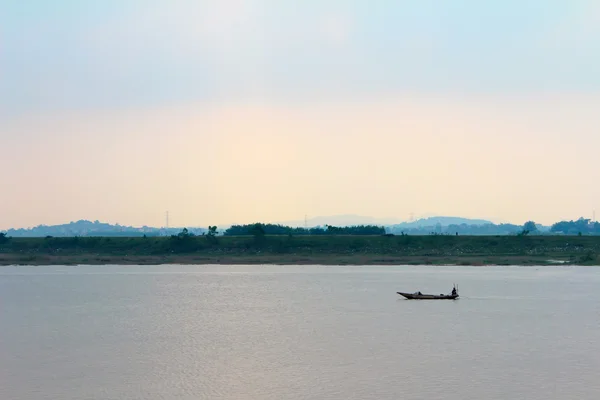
column 327, row 250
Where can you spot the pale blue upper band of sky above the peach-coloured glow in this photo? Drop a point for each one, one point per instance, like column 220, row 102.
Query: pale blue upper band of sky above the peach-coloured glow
column 117, row 53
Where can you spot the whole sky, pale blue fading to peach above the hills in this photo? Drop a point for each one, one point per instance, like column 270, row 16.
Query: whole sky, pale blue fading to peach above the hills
column 237, row 111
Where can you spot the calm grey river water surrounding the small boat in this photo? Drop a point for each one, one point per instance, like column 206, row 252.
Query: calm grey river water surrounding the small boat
column 184, row 332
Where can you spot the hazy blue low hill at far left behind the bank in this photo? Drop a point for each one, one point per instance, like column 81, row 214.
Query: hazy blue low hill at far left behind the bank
column 96, row 228
